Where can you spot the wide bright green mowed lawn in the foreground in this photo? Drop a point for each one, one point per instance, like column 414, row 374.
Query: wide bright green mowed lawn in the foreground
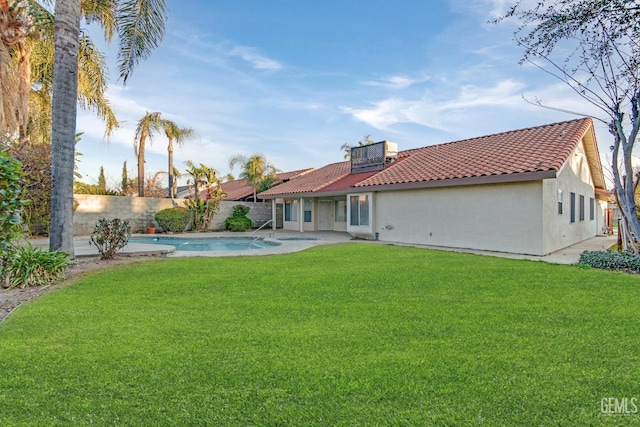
column 354, row 334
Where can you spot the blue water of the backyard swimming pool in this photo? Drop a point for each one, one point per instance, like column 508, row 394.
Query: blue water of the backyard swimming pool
column 207, row 243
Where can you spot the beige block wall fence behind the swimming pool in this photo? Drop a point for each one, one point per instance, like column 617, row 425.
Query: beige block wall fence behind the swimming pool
column 140, row 211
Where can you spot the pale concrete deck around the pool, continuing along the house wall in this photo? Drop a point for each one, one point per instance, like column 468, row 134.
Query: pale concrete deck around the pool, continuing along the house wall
column 293, row 241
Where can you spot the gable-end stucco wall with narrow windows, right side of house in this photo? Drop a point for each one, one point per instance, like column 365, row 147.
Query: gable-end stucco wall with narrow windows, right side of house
column 574, row 177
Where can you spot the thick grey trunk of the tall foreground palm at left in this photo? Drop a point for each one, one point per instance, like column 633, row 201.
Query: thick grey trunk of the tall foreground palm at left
column 63, row 130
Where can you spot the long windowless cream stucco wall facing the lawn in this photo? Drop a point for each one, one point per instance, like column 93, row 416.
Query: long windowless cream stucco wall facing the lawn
column 498, row 217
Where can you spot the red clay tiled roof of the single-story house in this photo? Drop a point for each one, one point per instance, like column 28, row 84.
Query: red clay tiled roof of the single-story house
column 542, row 149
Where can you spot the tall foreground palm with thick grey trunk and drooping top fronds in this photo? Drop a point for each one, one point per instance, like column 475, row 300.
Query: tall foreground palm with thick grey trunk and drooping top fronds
column 140, row 27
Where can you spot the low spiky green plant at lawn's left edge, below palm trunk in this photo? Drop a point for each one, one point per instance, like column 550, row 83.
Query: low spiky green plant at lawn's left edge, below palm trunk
column 29, row 266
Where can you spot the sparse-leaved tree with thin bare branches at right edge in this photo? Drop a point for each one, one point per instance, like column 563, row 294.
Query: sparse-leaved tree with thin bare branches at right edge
column 592, row 46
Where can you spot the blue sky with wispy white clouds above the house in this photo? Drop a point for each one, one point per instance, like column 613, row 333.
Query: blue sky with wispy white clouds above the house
column 294, row 80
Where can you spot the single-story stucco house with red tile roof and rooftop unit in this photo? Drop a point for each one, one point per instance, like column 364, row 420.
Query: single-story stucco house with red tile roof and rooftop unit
column 528, row 191
